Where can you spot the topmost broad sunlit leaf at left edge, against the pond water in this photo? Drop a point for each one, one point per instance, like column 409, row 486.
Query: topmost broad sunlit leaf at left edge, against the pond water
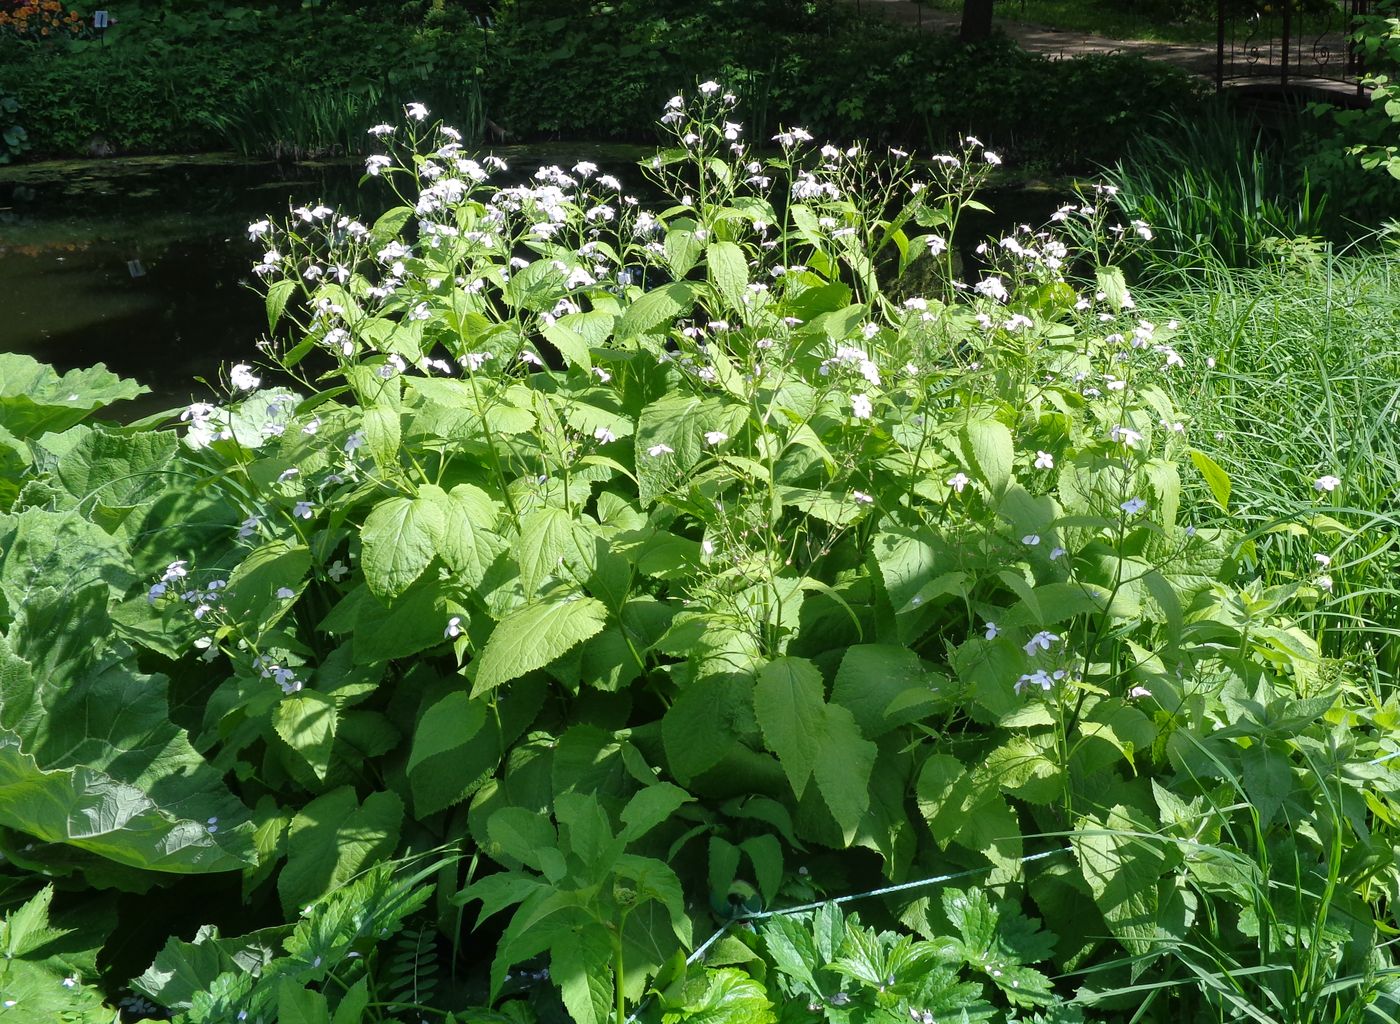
column 34, row 400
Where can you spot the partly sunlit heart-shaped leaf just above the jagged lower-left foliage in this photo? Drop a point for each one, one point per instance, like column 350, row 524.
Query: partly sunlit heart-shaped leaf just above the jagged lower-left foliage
column 332, row 840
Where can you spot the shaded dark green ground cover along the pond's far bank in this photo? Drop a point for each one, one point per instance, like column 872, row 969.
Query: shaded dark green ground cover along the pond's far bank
column 292, row 82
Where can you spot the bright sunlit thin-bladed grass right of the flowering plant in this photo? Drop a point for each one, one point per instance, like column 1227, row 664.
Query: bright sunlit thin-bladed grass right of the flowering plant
column 1307, row 383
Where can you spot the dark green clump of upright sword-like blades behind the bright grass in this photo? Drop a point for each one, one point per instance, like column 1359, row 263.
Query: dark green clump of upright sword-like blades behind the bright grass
column 1216, row 188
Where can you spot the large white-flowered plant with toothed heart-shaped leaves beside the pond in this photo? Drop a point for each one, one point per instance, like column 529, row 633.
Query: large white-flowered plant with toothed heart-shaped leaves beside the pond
column 647, row 550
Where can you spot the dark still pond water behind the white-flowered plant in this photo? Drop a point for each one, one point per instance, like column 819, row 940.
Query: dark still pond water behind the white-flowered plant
column 145, row 264
